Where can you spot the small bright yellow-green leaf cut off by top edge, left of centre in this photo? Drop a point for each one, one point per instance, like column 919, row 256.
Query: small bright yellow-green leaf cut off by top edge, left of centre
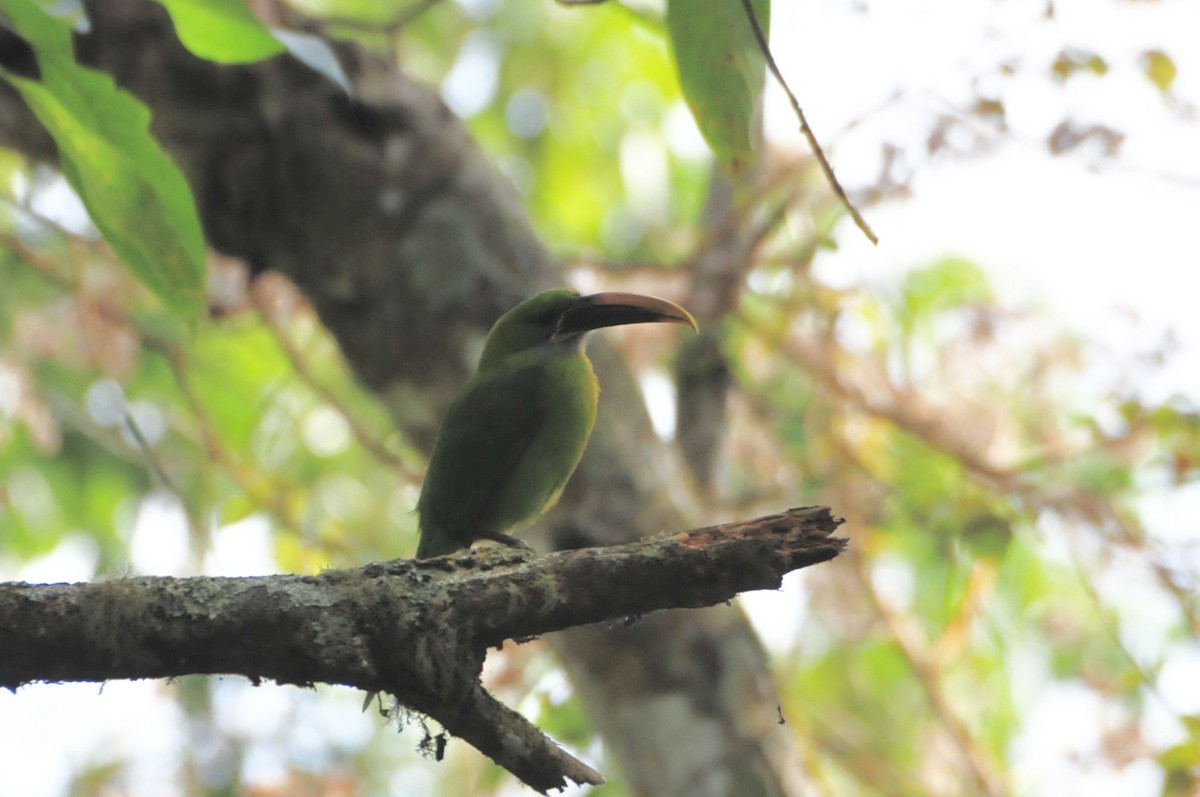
column 223, row 31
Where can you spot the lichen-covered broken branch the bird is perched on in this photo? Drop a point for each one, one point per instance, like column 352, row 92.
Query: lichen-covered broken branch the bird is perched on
column 417, row 630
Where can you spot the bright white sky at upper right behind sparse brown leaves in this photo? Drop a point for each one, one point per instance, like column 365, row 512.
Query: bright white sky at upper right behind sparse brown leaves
column 1082, row 239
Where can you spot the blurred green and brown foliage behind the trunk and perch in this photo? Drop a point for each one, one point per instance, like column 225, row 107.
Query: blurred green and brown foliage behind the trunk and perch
column 1004, row 588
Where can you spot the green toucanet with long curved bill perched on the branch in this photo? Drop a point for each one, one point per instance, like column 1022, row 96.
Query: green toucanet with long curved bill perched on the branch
column 515, row 435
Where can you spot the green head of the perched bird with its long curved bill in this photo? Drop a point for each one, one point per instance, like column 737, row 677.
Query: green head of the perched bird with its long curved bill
column 561, row 319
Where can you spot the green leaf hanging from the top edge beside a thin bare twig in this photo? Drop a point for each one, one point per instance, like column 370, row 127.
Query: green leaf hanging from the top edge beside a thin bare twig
column 721, row 71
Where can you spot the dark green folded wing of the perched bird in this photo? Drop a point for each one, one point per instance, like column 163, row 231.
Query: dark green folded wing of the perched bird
column 482, row 459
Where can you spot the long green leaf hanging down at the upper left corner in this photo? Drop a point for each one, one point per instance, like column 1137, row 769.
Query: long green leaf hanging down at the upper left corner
column 133, row 190
